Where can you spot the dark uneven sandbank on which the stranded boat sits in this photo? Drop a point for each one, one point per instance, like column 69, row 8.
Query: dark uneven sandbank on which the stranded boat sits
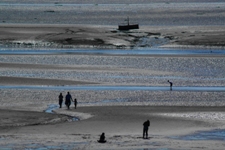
column 108, row 37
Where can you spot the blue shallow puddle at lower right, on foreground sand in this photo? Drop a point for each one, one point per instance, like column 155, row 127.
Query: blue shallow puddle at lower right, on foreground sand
column 204, row 135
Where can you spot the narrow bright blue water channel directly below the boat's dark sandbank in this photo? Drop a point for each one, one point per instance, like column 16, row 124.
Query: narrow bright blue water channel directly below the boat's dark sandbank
column 158, row 51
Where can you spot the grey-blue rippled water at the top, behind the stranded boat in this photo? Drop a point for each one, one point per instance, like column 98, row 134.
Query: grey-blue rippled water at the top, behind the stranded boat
column 95, row 13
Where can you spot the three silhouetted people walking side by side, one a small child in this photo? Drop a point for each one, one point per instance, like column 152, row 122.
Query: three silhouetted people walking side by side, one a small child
column 68, row 100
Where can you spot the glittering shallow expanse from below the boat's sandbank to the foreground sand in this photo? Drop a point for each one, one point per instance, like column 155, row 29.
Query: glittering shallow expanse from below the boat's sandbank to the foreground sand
column 135, row 79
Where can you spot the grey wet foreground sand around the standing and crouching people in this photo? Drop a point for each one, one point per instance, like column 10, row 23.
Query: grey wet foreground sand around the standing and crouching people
column 121, row 124
